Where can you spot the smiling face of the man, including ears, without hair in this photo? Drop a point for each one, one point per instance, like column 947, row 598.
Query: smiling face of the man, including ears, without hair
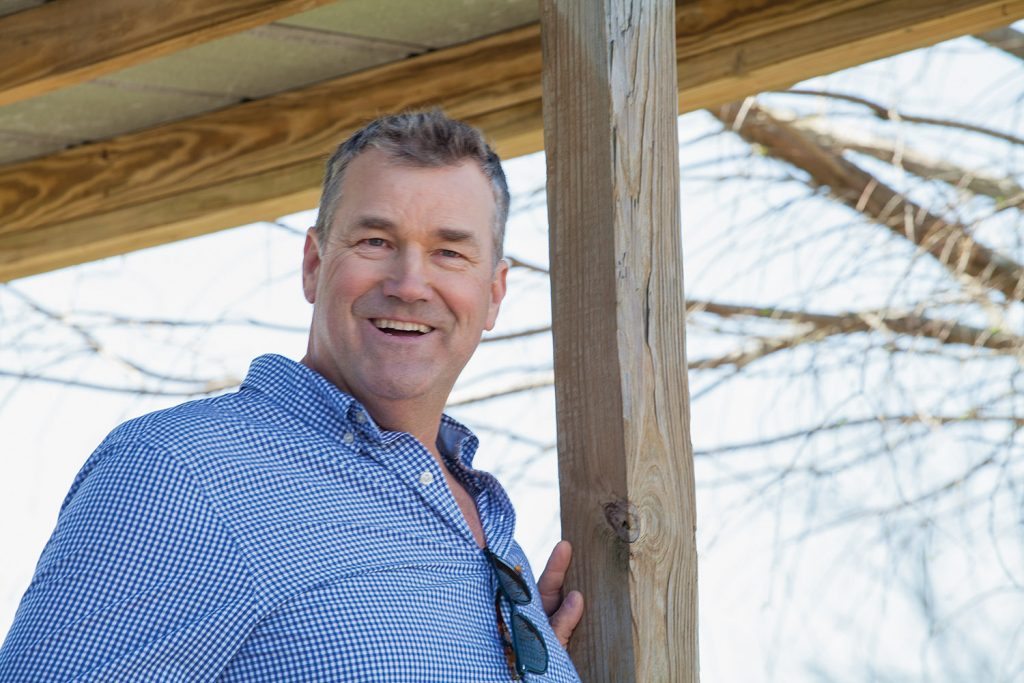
column 407, row 282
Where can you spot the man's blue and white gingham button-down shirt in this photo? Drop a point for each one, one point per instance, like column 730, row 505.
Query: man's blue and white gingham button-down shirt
column 276, row 534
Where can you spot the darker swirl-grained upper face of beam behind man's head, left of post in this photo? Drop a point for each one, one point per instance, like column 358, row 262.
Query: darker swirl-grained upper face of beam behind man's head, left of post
column 264, row 135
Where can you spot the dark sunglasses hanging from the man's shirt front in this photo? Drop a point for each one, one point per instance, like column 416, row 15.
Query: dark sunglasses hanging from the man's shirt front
column 525, row 649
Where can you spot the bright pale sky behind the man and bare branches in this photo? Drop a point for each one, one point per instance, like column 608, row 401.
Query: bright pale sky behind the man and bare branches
column 772, row 608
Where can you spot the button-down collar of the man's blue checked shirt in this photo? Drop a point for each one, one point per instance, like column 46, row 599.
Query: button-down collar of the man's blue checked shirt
column 314, row 400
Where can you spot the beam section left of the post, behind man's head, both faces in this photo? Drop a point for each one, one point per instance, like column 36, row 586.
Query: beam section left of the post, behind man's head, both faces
column 199, row 176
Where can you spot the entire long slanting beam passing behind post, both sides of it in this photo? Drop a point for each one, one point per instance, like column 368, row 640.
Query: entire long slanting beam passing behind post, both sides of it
column 203, row 175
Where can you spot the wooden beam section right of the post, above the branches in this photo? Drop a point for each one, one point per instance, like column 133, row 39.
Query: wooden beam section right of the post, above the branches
column 733, row 50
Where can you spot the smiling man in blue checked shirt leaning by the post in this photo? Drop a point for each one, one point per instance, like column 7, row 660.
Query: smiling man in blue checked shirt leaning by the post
column 324, row 523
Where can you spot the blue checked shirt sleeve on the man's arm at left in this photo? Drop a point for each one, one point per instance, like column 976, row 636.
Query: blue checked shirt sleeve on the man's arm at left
column 141, row 580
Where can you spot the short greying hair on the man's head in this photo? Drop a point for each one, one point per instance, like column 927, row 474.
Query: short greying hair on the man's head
column 418, row 139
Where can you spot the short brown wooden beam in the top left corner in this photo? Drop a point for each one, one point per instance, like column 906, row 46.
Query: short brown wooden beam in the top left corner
column 66, row 42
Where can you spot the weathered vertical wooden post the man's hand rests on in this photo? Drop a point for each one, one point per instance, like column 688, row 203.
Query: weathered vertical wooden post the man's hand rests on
column 625, row 456
